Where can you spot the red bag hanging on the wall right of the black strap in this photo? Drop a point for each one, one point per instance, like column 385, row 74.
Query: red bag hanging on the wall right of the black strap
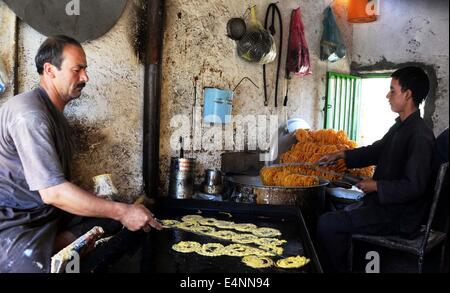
column 297, row 60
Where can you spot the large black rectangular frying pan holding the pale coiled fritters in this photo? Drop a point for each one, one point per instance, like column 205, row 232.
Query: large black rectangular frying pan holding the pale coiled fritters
column 152, row 252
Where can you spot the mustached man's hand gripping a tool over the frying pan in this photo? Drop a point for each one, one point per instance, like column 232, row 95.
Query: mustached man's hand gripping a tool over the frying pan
column 137, row 217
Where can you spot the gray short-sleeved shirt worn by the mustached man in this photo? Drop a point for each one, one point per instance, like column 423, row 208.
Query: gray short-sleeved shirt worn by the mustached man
column 35, row 149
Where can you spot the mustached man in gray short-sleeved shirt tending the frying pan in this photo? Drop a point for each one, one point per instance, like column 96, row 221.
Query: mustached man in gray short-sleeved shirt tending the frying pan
column 35, row 154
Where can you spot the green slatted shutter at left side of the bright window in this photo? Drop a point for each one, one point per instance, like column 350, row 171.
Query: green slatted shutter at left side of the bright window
column 342, row 103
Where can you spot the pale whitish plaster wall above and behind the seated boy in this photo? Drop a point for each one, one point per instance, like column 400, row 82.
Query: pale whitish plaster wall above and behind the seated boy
column 410, row 31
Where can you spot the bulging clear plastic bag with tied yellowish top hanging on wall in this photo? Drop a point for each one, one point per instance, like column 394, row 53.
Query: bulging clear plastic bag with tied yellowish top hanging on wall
column 257, row 45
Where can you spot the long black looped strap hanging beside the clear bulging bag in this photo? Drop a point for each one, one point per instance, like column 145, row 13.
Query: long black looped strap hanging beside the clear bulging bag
column 273, row 9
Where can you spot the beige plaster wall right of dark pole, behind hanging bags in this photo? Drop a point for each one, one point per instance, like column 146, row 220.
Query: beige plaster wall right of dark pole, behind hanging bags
column 196, row 45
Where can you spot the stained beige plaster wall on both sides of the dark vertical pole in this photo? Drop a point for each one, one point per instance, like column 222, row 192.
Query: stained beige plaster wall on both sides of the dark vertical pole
column 107, row 119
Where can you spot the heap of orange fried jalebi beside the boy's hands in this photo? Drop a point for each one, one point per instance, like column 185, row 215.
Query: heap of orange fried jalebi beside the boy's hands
column 311, row 146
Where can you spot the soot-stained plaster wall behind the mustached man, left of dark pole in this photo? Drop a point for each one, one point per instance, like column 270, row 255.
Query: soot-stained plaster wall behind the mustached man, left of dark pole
column 107, row 119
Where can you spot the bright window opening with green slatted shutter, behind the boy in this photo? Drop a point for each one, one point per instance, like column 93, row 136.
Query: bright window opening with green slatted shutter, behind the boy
column 358, row 105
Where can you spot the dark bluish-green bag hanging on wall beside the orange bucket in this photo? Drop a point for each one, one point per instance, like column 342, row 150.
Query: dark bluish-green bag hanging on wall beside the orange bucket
column 332, row 48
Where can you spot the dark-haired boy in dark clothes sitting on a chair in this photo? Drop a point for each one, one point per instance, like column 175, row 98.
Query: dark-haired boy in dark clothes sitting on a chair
column 396, row 196
